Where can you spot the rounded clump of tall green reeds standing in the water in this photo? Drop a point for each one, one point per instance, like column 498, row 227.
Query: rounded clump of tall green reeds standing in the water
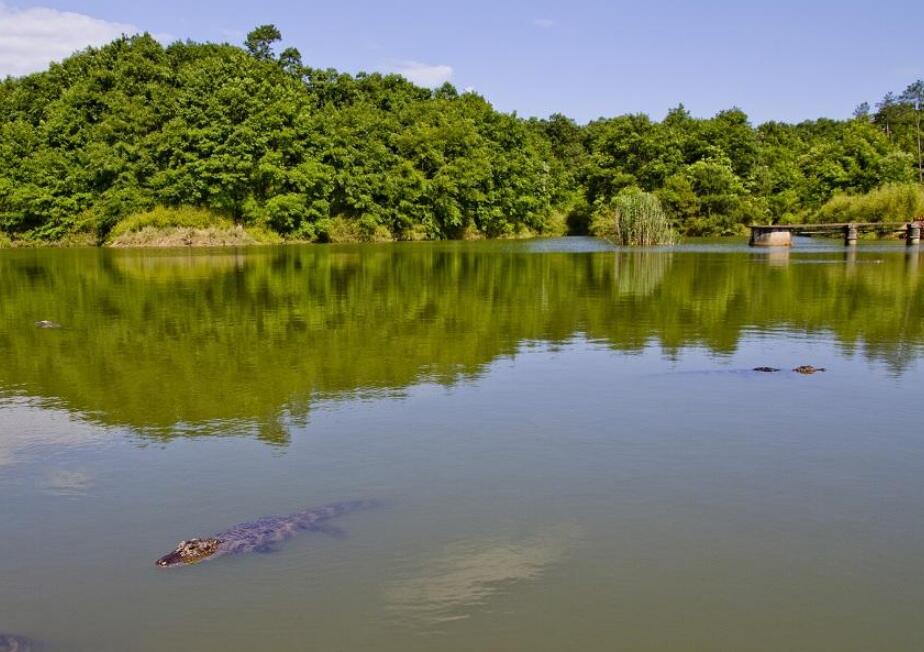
column 632, row 218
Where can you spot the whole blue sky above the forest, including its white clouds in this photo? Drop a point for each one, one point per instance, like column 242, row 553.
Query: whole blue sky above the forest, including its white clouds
column 779, row 60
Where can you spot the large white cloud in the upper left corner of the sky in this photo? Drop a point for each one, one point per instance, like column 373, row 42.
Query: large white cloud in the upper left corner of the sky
column 30, row 39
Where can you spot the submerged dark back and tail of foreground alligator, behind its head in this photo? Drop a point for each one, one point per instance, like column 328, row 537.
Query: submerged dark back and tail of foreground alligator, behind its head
column 264, row 533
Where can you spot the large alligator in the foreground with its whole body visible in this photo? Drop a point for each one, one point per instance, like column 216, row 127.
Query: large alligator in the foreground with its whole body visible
column 261, row 535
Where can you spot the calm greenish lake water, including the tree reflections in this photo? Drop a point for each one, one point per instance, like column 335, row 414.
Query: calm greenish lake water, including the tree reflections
column 569, row 450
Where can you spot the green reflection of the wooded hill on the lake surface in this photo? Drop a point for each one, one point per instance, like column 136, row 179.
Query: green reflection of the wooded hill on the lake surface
column 255, row 338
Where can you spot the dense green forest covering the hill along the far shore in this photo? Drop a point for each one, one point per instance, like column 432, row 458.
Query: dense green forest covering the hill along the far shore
column 256, row 139
